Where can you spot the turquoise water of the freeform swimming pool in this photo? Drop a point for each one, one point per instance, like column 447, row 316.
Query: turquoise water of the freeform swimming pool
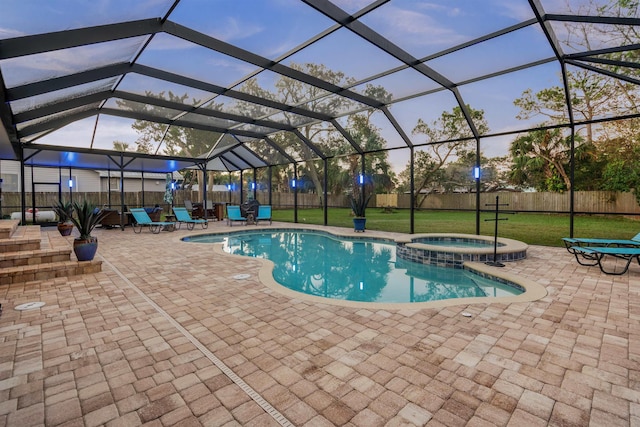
column 367, row 270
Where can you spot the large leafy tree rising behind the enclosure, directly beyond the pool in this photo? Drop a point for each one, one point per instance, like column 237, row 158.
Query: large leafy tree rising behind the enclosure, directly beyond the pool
column 324, row 136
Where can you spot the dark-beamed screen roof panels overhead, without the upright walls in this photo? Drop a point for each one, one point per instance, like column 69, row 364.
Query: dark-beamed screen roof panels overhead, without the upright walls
column 239, row 84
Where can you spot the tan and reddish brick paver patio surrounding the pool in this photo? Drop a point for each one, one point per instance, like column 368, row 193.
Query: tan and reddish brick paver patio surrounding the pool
column 166, row 336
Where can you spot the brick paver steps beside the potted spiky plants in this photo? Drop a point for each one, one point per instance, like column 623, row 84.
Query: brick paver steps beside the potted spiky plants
column 28, row 257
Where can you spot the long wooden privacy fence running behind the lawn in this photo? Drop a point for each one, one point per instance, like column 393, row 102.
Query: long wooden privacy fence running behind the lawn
column 600, row 202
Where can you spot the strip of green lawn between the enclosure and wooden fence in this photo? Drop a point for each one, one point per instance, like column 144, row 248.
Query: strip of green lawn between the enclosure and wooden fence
column 534, row 229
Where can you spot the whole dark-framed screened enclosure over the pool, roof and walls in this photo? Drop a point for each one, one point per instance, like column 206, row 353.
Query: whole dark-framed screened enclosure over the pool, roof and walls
column 435, row 104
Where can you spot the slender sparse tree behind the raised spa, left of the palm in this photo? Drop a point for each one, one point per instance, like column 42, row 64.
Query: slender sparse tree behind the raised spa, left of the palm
column 428, row 163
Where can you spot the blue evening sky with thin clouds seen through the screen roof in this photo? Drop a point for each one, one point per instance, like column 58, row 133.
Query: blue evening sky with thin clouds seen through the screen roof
column 272, row 29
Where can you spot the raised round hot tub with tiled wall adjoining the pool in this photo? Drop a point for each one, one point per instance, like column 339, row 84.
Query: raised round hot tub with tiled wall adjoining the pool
column 453, row 250
